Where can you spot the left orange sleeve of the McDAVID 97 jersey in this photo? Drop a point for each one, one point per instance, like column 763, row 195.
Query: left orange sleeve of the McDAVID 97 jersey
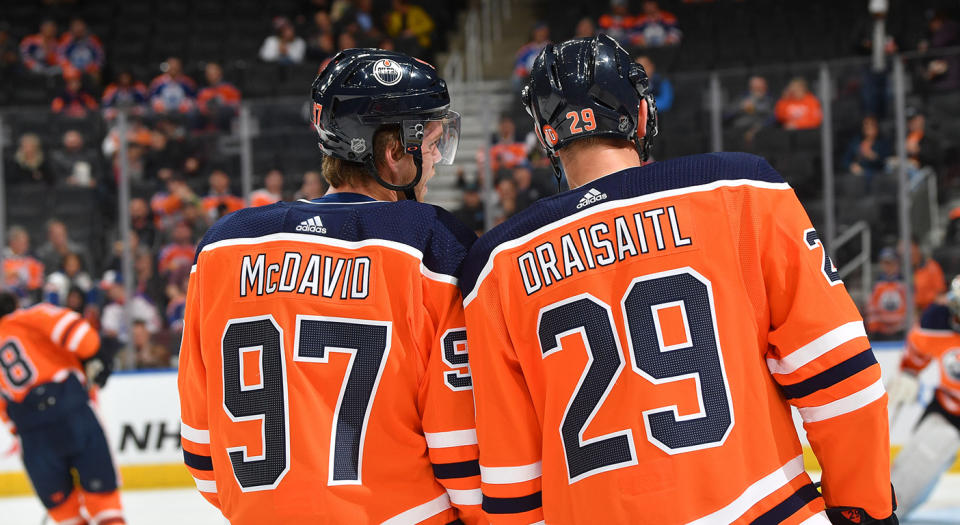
column 192, row 385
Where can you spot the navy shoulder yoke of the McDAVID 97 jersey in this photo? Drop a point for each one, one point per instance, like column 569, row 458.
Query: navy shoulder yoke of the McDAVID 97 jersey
column 443, row 241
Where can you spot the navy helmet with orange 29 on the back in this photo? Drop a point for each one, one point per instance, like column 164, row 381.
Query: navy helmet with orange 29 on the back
column 588, row 87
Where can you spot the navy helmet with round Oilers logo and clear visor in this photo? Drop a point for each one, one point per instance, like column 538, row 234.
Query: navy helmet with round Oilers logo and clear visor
column 361, row 90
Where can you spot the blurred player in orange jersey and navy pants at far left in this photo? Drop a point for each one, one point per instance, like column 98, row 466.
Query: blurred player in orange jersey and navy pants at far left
column 48, row 355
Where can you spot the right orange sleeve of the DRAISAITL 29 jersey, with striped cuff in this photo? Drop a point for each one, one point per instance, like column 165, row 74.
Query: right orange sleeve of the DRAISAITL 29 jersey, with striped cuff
column 820, row 356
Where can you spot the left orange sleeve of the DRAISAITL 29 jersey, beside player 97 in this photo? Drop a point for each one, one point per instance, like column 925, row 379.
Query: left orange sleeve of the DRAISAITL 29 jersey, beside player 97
column 508, row 429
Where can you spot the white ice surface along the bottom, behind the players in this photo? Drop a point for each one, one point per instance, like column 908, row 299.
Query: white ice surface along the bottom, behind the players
column 187, row 507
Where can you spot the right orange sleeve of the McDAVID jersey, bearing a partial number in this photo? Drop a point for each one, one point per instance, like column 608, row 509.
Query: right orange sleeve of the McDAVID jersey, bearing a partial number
column 446, row 401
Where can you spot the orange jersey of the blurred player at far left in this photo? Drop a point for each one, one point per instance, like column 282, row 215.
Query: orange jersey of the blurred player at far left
column 38, row 345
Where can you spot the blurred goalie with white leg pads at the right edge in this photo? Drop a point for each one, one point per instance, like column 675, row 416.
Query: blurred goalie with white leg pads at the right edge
column 934, row 443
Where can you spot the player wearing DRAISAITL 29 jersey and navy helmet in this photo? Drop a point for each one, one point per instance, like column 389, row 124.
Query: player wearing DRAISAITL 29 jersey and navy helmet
column 637, row 342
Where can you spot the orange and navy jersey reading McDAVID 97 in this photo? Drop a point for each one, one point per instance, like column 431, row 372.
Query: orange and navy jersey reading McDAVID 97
column 314, row 324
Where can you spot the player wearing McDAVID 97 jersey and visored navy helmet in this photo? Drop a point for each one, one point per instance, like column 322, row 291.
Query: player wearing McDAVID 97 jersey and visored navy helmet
column 323, row 371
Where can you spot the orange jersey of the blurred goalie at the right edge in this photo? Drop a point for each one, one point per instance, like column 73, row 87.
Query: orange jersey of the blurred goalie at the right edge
column 936, row 340
